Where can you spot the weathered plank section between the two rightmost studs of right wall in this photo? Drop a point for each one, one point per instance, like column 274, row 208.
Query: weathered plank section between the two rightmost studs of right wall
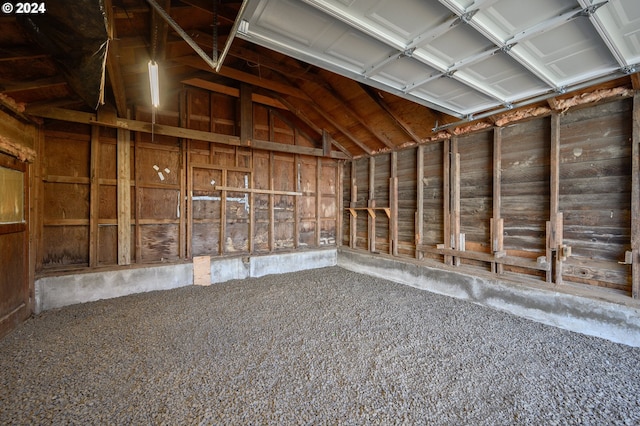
column 595, row 193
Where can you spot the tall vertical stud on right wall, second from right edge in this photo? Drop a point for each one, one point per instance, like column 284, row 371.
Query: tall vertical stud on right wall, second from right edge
column 555, row 226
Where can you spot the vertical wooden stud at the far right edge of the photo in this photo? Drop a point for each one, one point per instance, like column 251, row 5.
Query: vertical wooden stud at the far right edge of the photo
column 635, row 198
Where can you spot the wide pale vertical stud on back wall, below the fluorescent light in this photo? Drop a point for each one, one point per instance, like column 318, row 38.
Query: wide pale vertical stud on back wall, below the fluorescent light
column 123, row 159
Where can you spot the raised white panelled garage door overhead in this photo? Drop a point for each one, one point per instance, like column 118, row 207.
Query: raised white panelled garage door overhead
column 461, row 57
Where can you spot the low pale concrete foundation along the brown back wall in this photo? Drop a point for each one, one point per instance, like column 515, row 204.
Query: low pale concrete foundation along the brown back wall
column 57, row 291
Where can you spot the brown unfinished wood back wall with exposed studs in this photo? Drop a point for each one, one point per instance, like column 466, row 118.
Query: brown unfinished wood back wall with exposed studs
column 186, row 197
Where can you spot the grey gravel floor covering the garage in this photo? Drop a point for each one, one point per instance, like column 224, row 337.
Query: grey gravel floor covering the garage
column 318, row 347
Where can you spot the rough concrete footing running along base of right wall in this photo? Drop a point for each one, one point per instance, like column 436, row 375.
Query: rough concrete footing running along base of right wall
column 607, row 320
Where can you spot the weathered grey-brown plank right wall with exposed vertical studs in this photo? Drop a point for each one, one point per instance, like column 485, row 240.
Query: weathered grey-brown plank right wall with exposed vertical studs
column 548, row 199
